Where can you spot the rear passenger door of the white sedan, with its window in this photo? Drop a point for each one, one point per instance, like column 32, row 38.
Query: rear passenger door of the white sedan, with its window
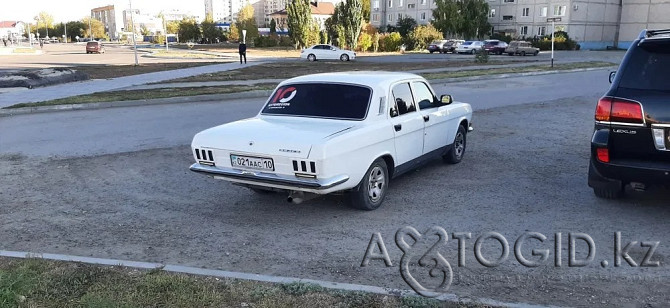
column 406, row 123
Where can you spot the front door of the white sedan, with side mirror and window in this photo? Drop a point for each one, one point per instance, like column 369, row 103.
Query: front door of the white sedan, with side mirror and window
column 435, row 117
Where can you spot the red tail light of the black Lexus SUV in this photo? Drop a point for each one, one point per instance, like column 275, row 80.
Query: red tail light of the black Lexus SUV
column 610, row 109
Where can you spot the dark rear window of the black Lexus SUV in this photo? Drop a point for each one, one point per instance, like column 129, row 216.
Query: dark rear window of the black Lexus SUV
column 647, row 67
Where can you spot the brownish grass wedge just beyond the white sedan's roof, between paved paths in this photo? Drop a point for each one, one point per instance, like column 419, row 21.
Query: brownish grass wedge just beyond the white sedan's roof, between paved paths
column 284, row 70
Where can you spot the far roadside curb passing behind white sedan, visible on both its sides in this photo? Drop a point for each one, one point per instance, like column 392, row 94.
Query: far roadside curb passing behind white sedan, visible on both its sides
column 247, row 94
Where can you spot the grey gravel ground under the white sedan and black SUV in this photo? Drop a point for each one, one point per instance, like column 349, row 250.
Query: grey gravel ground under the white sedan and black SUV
column 524, row 170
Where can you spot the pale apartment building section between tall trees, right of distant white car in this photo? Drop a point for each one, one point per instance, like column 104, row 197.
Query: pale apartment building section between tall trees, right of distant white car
column 387, row 12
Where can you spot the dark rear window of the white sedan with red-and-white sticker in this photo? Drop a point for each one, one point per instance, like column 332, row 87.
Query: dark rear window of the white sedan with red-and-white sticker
column 322, row 100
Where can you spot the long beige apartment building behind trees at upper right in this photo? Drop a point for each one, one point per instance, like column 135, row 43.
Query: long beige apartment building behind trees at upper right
column 594, row 24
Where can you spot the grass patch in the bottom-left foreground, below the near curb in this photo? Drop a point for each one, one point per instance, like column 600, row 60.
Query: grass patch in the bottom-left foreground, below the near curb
column 42, row 283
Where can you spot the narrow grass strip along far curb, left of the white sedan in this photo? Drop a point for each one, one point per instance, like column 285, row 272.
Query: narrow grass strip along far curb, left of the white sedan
column 146, row 94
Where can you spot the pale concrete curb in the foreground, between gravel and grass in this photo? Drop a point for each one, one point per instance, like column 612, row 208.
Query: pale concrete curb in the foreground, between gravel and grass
column 255, row 277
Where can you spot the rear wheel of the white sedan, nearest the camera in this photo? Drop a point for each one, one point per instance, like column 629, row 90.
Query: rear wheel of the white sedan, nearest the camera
column 370, row 192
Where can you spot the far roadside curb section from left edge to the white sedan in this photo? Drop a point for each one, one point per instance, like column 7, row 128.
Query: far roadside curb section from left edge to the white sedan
column 133, row 103
